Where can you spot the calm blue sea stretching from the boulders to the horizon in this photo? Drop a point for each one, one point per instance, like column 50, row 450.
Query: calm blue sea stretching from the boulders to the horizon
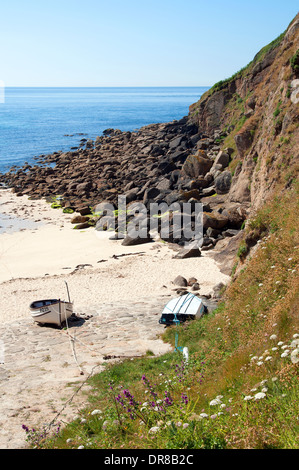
column 36, row 121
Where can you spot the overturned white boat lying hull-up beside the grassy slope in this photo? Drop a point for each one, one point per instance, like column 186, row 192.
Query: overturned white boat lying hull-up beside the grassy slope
column 183, row 308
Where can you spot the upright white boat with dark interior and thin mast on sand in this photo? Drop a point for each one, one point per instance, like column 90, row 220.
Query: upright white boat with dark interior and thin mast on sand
column 51, row 311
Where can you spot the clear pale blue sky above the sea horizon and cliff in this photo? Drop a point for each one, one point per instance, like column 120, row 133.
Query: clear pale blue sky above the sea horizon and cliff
column 134, row 43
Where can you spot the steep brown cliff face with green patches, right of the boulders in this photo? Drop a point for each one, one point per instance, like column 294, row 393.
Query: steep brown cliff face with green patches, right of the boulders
column 255, row 114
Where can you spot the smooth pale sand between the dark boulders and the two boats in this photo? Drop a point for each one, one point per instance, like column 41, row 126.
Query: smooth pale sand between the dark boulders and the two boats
column 46, row 251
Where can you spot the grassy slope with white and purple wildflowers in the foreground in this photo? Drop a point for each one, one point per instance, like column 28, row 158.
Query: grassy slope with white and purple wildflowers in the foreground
column 239, row 386
